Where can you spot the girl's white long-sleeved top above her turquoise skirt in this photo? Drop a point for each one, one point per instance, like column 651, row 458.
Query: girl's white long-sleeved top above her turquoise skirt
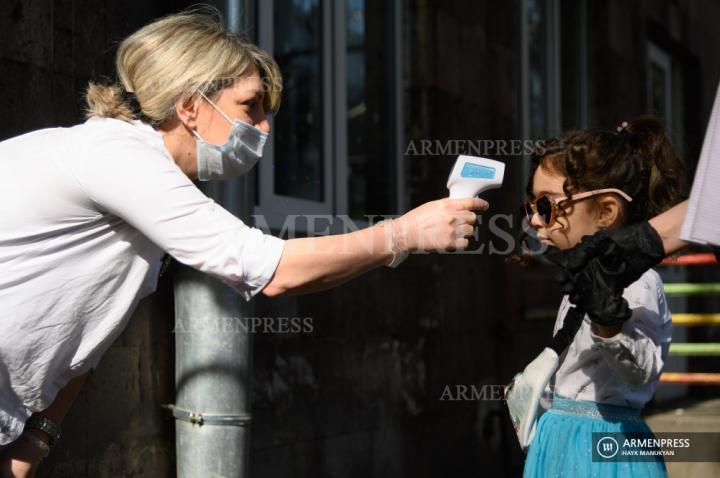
column 624, row 369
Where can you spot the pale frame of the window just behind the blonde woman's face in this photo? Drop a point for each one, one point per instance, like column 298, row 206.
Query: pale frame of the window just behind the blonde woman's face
column 277, row 208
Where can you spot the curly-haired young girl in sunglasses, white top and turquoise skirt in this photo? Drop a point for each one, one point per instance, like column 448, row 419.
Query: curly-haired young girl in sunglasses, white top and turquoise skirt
column 584, row 182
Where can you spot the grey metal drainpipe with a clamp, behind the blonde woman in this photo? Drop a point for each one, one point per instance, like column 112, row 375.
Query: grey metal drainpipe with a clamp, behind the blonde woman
column 213, row 351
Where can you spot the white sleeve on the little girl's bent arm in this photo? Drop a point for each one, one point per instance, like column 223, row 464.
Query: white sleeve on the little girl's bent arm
column 636, row 354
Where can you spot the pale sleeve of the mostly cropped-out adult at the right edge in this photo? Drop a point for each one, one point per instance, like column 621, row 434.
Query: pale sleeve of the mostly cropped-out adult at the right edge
column 702, row 219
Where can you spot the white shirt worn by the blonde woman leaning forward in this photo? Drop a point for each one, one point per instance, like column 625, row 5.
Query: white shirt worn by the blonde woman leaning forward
column 85, row 215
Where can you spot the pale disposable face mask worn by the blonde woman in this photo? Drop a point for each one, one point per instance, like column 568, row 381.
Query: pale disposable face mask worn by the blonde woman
column 234, row 158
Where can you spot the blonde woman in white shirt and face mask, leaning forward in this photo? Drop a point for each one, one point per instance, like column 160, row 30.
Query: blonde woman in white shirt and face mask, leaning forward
column 87, row 212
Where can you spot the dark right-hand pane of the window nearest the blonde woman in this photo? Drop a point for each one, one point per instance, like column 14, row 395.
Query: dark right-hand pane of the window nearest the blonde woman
column 371, row 115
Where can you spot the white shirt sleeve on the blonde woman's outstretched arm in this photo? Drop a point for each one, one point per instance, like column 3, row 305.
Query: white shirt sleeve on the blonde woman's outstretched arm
column 144, row 187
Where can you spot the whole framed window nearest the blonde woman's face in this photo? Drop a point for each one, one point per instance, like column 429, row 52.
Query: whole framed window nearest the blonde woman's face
column 334, row 147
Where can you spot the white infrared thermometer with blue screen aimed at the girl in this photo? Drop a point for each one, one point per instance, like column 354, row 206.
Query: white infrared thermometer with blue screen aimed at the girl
column 473, row 175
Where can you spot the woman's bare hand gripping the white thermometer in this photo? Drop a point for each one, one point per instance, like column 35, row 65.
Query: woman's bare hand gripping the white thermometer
column 440, row 225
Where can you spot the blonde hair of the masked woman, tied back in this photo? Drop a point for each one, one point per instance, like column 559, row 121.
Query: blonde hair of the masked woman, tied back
column 168, row 60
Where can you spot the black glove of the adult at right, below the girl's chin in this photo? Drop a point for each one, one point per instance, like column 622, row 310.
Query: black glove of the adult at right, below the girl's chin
column 597, row 271
